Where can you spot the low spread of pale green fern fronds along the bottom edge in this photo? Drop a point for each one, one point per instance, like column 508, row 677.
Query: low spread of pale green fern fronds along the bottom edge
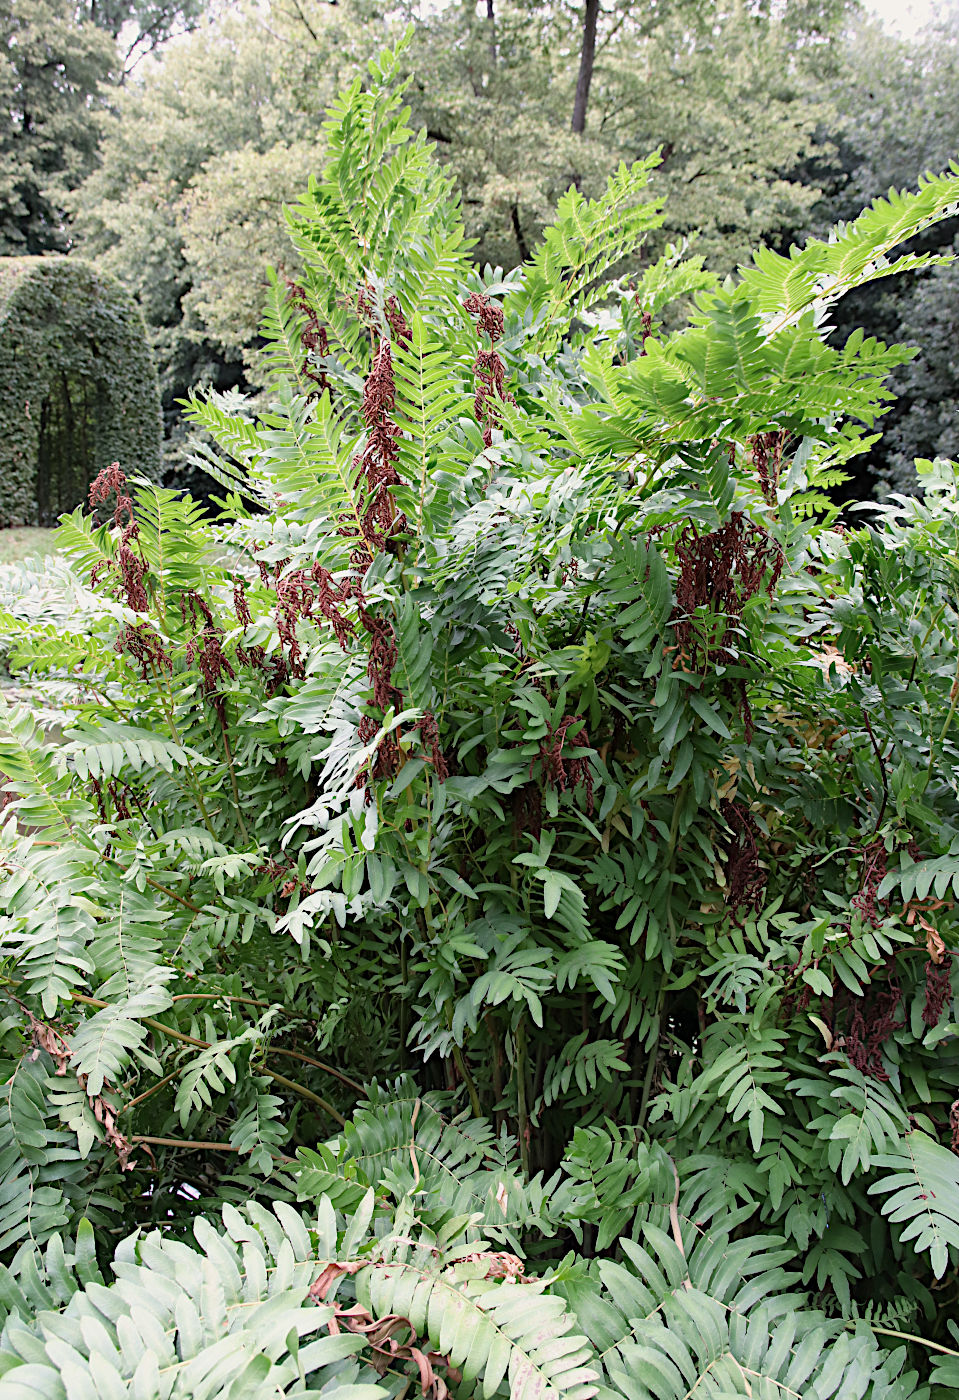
column 272, row 1303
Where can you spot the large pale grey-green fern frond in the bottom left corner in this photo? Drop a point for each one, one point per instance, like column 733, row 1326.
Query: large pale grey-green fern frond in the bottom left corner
column 230, row 1317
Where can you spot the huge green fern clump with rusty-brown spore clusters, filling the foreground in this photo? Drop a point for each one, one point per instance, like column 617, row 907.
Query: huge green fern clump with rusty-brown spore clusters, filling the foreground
column 540, row 764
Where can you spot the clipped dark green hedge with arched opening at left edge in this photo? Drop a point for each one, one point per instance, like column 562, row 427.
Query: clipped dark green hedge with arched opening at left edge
column 78, row 387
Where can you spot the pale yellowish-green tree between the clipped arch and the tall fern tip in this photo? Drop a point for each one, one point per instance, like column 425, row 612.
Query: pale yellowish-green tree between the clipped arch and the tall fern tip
column 197, row 159
